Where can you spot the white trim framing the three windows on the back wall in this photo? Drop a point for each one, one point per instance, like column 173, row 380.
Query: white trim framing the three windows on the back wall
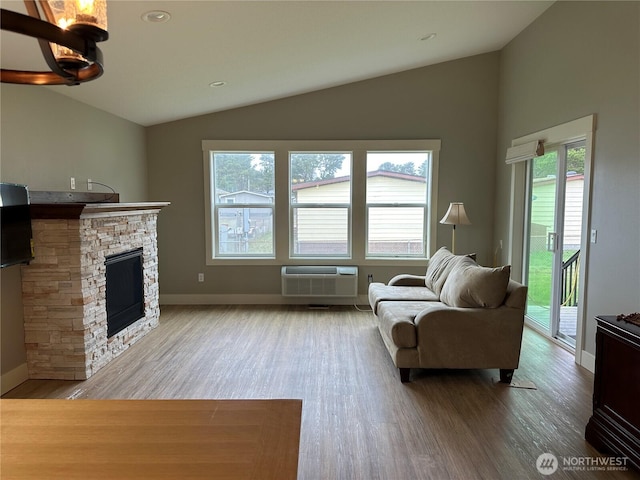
column 281, row 149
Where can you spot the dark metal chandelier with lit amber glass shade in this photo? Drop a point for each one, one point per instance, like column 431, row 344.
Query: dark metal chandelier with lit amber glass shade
column 67, row 32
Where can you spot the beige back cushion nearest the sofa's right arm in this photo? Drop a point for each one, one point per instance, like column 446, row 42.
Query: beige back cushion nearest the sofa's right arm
column 469, row 285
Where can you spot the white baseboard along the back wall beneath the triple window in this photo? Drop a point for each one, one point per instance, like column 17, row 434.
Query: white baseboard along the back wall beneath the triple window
column 241, row 299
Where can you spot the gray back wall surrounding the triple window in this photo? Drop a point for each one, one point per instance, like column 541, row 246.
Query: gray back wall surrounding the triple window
column 454, row 101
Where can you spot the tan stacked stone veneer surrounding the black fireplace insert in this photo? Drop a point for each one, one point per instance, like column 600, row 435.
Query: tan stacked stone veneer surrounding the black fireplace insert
column 64, row 291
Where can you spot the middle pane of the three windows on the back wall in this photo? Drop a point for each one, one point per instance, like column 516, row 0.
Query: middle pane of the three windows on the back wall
column 320, row 199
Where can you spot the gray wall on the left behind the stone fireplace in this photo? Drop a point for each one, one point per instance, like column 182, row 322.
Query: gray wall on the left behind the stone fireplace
column 47, row 138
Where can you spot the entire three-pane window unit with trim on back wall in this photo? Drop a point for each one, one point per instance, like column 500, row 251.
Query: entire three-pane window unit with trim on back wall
column 277, row 202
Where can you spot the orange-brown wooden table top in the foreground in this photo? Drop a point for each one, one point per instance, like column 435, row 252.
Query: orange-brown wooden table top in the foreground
column 149, row 439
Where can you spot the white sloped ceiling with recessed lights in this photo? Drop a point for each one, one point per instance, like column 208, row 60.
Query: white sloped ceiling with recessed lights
column 265, row 50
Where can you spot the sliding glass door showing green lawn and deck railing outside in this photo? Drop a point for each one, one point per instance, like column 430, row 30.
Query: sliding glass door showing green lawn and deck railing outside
column 553, row 239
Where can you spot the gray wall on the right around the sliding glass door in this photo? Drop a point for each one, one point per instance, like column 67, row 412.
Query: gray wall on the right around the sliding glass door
column 576, row 59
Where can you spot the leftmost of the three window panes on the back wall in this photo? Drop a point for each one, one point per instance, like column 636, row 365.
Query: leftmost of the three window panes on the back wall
column 243, row 203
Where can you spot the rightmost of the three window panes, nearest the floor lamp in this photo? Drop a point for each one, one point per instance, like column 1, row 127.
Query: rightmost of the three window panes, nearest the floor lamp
column 397, row 203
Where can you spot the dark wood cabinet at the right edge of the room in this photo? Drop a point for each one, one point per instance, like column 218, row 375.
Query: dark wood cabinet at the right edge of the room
column 614, row 427
